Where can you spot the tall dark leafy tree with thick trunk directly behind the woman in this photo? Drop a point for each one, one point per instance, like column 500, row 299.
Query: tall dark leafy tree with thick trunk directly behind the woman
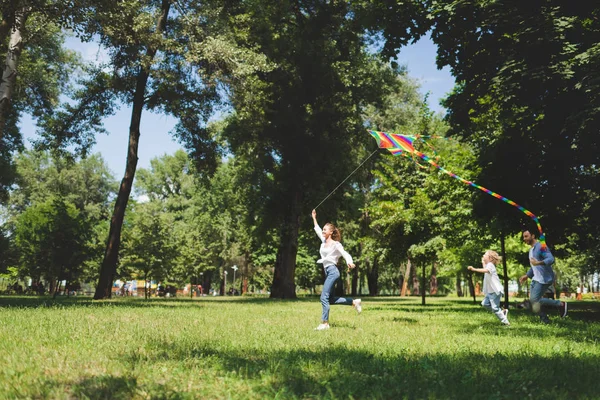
column 311, row 103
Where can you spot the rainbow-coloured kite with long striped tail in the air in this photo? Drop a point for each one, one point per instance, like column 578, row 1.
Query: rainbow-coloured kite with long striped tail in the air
column 403, row 145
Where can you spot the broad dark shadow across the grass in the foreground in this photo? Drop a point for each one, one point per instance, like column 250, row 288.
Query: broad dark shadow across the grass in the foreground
column 339, row 372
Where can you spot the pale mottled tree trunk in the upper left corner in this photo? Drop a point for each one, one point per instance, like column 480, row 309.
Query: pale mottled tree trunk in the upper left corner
column 9, row 72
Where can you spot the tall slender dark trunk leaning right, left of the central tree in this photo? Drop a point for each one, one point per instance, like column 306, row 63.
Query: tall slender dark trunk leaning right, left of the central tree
column 109, row 264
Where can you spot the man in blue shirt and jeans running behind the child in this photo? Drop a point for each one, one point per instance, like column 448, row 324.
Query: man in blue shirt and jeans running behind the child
column 542, row 277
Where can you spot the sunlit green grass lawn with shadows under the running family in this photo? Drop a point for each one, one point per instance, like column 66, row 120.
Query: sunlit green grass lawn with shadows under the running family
column 257, row 348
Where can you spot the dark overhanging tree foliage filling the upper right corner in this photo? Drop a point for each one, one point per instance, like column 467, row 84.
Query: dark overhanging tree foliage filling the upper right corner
column 530, row 109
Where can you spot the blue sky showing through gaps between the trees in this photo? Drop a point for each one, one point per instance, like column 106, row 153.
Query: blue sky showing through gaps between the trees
column 155, row 140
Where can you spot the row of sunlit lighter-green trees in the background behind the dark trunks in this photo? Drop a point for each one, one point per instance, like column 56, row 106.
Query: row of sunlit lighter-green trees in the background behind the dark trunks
column 412, row 227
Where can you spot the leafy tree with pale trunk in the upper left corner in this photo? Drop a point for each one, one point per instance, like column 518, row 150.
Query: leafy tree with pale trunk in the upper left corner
column 35, row 73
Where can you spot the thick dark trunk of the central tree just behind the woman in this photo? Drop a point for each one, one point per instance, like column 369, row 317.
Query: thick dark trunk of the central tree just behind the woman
column 284, row 284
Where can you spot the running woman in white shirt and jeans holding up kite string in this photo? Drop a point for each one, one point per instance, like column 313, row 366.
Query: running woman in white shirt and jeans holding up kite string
column 331, row 250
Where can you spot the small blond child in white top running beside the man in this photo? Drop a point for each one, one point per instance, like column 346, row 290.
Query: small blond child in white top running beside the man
column 492, row 288
